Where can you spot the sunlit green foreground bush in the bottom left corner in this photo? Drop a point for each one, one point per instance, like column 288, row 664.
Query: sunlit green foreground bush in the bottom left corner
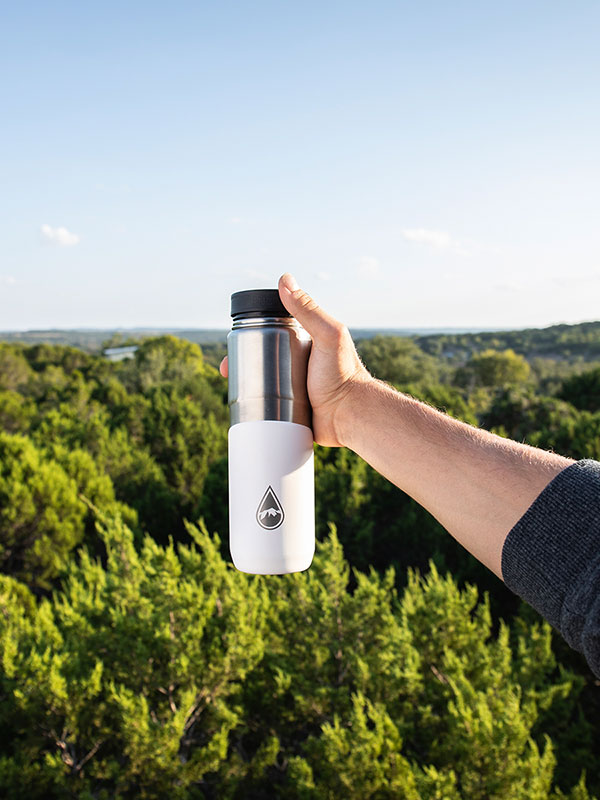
column 121, row 684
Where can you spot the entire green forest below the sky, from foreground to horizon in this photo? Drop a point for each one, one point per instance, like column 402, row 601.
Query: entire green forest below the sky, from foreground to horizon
column 136, row 662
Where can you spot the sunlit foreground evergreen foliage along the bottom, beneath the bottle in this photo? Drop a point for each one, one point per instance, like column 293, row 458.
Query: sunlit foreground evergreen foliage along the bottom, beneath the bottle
column 166, row 673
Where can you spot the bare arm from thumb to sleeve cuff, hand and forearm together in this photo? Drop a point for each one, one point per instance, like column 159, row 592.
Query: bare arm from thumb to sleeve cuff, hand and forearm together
column 476, row 484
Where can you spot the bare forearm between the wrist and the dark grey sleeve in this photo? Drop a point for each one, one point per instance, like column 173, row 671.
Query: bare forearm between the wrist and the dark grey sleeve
column 476, row 484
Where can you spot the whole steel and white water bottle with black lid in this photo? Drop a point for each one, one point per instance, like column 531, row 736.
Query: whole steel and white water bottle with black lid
column 271, row 469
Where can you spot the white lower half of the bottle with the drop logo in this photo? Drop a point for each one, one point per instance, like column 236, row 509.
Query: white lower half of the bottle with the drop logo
column 271, row 497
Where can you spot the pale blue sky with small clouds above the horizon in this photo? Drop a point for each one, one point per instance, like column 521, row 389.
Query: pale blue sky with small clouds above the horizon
column 414, row 164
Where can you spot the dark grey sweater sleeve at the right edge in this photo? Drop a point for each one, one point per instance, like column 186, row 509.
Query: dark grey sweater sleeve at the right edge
column 551, row 558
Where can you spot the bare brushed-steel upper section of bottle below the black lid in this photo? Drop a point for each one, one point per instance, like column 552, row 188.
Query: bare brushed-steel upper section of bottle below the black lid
column 268, row 360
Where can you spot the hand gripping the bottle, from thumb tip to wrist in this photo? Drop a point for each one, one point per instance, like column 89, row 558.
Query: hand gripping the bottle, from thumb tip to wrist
column 334, row 368
